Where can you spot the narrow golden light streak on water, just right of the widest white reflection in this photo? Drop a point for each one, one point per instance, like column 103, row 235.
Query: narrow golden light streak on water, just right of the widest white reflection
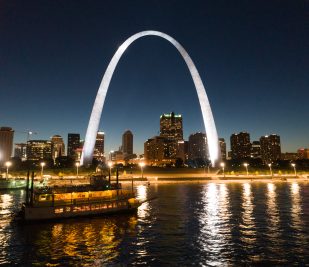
column 247, row 227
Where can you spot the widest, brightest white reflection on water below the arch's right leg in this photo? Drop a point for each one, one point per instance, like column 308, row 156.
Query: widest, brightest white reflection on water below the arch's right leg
column 214, row 220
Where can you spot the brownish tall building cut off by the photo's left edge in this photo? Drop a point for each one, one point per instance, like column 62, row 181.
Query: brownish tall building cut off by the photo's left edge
column 6, row 143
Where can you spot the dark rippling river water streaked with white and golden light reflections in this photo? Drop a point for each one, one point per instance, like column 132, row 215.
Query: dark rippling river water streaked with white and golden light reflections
column 193, row 224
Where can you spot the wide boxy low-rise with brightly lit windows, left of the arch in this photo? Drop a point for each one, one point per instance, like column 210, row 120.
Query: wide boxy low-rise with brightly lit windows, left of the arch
column 39, row 149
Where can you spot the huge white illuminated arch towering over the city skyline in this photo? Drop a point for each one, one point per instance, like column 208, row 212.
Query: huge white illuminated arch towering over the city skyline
column 93, row 126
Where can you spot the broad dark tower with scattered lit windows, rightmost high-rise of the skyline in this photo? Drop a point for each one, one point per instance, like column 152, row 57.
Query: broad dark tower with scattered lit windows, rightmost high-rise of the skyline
column 270, row 148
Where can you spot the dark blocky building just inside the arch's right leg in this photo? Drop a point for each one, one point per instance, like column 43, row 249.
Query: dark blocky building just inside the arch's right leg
column 197, row 147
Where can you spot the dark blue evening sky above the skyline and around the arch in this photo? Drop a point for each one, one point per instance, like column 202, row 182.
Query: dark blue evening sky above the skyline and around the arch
column 252, row 57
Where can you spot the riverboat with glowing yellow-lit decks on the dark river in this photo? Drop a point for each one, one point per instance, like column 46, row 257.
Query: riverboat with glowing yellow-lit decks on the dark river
column 97, row 198
